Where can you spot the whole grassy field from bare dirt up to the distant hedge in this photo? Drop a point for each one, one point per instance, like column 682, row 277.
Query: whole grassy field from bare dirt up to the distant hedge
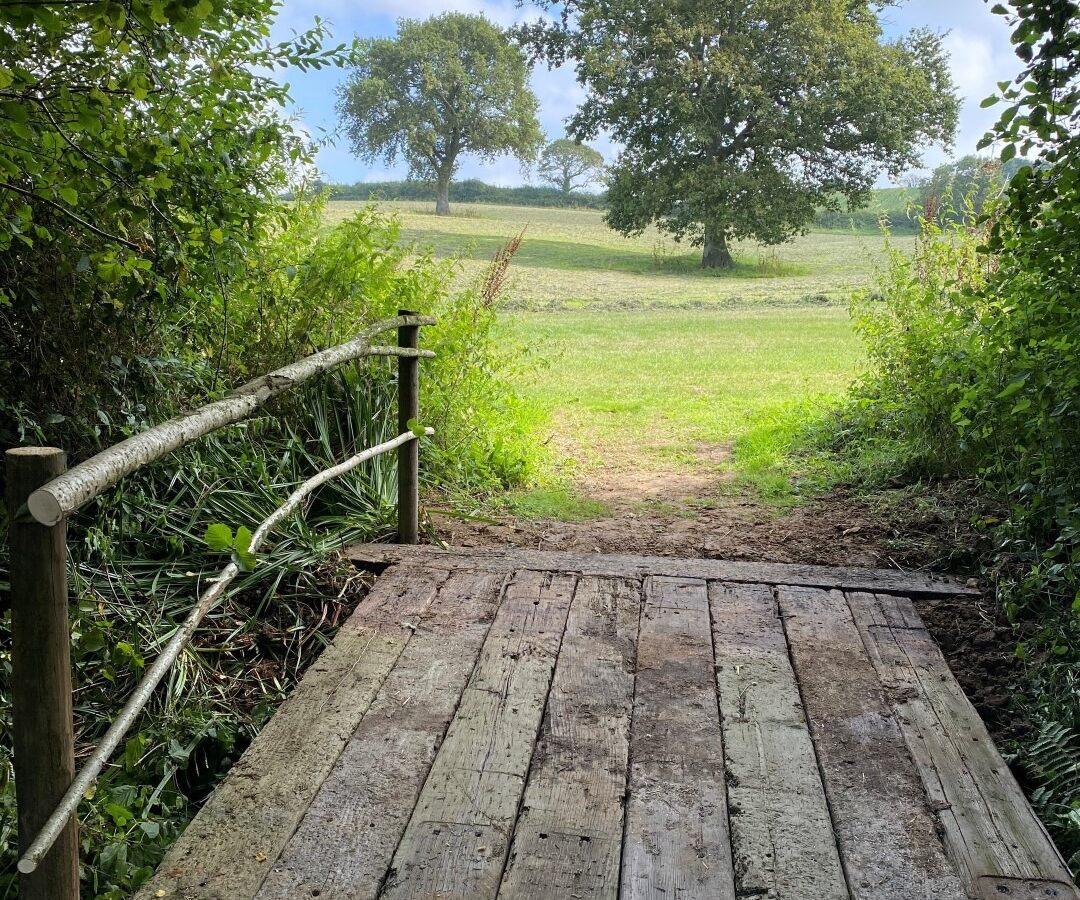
column 653, row 365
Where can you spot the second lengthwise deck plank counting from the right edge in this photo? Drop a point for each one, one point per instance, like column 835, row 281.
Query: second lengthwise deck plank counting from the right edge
column 886, row 831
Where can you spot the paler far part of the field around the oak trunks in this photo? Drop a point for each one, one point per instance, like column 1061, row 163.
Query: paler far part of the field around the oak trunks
column 571, row 260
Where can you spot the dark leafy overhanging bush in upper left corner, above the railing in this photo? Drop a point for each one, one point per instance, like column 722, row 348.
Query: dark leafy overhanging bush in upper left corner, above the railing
column 141, row 157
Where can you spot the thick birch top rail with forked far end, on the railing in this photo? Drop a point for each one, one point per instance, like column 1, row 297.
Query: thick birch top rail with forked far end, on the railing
column 83, row 483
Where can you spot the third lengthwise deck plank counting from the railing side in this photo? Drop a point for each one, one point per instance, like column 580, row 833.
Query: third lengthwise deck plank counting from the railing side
column 456, row 843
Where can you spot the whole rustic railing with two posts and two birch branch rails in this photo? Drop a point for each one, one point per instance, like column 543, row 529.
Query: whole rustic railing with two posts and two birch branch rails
column 40, row 495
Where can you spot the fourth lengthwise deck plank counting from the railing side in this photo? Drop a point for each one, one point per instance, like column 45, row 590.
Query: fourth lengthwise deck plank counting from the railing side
column 569, row 838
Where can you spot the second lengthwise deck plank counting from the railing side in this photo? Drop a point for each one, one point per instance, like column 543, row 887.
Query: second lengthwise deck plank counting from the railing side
column 347, row 840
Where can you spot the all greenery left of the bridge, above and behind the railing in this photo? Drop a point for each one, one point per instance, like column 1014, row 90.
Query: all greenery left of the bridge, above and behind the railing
column 146, row 265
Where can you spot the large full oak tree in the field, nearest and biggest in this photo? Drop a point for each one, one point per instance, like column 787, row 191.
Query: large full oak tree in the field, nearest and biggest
column 740, row 118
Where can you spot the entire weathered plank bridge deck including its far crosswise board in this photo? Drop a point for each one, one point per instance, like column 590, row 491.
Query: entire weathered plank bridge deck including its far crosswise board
column 555, row 726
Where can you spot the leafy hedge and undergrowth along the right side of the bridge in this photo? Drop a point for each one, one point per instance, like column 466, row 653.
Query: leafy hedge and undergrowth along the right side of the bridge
column 976, row 352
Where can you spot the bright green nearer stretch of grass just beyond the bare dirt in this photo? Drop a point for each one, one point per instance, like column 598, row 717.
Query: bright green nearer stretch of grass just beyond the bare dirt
column 657, row 391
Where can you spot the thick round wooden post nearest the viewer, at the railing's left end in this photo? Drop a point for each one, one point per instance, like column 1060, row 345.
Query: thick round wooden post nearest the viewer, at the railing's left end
column 42, row 675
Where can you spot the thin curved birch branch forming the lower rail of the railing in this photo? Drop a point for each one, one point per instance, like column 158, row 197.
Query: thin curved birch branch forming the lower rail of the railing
column 141, row 696
